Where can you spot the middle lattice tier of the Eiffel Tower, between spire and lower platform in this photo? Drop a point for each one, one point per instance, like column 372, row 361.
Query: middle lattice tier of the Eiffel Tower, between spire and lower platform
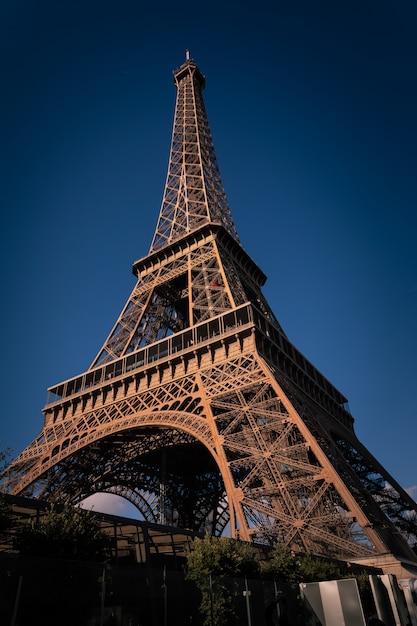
column 199, row 278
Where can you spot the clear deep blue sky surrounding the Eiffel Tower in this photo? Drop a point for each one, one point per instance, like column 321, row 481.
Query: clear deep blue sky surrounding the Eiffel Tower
column 313, row 109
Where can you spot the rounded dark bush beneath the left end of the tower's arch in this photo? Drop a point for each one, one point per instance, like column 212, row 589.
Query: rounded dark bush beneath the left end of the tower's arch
column 72, row 533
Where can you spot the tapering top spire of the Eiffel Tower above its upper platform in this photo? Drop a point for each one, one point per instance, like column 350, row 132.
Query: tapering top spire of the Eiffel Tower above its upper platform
column 194, row 194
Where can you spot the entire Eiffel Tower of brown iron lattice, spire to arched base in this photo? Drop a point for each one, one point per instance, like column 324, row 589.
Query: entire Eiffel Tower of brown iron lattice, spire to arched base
column 199, row 410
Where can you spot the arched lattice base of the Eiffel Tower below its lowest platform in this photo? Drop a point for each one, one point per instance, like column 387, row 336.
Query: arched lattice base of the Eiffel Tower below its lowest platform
column 264, row 467
